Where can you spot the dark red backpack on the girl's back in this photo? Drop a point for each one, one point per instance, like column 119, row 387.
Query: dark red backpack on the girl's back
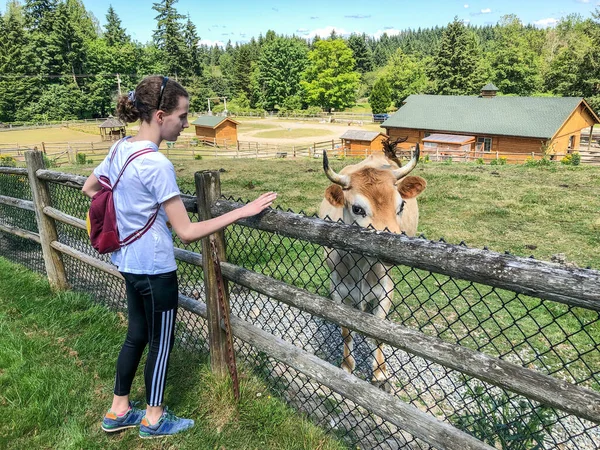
column 102, row 218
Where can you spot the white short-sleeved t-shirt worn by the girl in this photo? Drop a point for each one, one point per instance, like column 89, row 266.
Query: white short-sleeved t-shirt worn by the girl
column 147, row 182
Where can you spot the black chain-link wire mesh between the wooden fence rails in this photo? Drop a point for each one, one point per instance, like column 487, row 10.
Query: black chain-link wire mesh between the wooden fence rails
column 553, row 338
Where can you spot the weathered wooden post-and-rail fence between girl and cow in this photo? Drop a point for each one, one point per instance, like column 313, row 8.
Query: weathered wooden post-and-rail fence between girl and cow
column 571, row 286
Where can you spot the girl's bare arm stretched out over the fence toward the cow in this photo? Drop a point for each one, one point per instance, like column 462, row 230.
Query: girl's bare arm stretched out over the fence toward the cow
column 189, row 231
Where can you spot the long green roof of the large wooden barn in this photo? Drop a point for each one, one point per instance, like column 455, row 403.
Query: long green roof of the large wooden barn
column 538, row 117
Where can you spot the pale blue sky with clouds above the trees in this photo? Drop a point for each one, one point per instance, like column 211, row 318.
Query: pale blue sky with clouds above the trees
column 240, row 20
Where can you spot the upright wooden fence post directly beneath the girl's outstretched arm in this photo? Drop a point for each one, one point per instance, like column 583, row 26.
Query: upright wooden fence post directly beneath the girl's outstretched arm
column 208, row 190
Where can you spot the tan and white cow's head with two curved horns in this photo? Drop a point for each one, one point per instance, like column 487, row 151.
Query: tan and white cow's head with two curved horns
column 376, row 196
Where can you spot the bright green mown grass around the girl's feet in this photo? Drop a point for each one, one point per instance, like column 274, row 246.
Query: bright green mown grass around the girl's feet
column 57, row 368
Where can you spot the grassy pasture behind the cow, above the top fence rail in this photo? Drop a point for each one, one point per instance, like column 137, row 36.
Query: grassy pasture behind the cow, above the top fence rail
column 539, row 211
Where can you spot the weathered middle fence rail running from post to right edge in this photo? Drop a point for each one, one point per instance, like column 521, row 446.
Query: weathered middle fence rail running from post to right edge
column 532, row 384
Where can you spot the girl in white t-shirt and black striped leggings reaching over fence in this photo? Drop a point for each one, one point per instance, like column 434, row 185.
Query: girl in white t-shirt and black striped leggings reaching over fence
column 146, row 188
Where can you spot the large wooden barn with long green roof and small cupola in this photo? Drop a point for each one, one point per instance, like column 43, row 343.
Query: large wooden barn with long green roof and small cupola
column 517, row 126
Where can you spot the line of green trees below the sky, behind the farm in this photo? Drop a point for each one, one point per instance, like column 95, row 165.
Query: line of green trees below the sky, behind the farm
column 58, row 63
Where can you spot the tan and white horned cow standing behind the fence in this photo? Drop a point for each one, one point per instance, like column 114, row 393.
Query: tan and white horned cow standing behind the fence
column 378, row 193
